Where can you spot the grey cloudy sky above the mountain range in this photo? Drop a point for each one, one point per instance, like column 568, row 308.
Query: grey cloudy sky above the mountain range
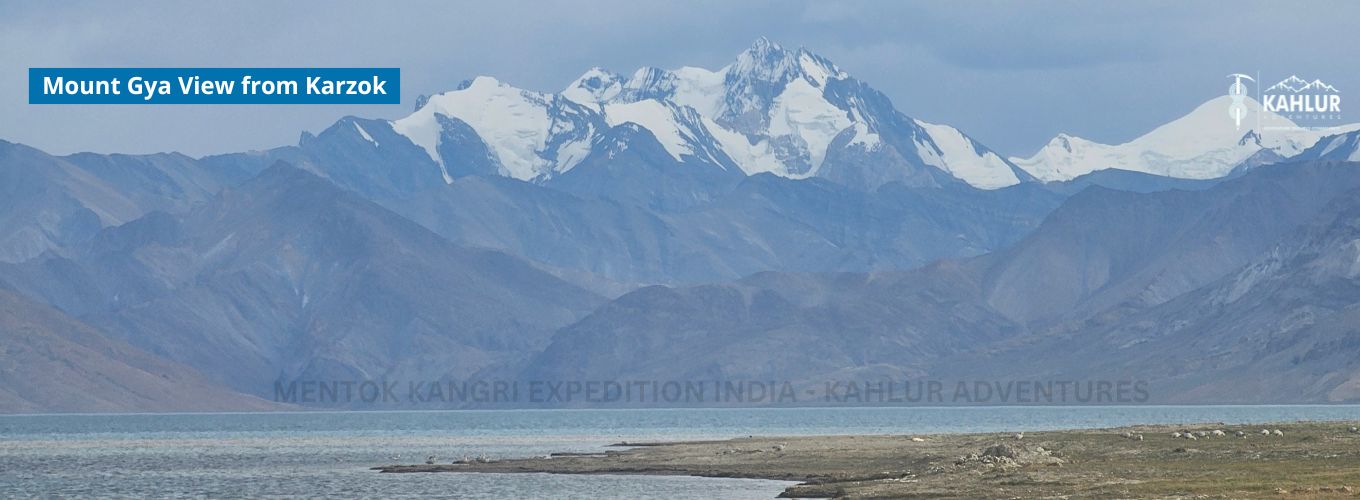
column 1011, row 75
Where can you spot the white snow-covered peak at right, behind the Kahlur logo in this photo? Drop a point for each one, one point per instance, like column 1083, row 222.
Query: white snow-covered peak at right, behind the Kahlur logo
column 1204, row 145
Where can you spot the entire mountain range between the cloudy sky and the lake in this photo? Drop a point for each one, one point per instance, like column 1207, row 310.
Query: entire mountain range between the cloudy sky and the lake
column 776, row 218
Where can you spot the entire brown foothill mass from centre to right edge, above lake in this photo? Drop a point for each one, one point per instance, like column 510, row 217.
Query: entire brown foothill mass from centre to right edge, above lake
column 1113, row 286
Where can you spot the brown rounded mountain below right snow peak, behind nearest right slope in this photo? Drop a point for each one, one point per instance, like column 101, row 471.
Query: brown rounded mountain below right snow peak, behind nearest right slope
column 1106, row 249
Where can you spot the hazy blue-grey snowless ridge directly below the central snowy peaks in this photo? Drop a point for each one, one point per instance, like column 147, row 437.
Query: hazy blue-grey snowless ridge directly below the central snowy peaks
column 762, row 224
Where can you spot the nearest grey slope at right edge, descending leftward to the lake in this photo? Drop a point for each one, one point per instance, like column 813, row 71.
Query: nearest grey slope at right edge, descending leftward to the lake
column 1278, row 329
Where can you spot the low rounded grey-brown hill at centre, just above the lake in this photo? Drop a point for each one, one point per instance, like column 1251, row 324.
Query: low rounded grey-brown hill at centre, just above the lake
column 779, row 327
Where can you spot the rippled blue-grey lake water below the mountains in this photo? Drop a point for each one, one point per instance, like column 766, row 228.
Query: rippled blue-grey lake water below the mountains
column 330, row 453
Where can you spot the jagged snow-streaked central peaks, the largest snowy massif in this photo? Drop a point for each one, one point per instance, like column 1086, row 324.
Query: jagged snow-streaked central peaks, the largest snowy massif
column 791, row 113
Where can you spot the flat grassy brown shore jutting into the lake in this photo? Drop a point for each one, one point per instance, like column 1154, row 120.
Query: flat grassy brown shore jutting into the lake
column 1306, row 460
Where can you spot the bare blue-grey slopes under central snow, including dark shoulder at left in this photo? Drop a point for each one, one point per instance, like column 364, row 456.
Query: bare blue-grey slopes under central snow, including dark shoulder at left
column 630, row 213
